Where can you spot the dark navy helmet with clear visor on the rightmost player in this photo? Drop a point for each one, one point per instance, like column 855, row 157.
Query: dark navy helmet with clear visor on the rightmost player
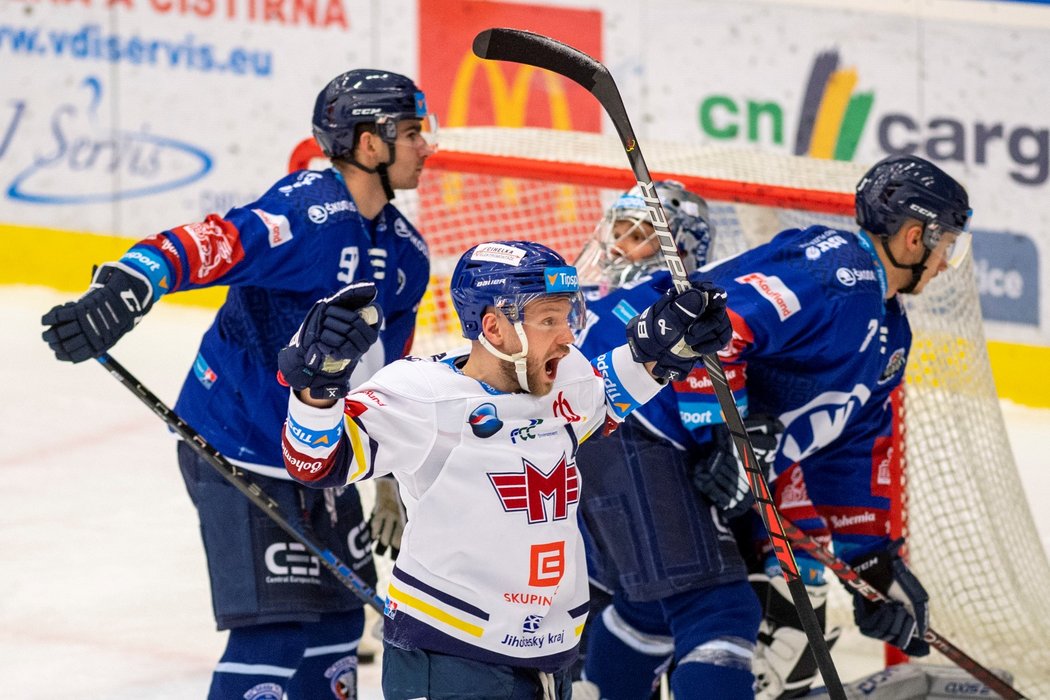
column 908, row 187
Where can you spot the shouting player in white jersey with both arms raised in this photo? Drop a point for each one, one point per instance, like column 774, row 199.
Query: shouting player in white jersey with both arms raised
column 490, row 593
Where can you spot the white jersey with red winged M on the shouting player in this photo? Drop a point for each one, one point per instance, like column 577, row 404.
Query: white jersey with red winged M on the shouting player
column 492, row 564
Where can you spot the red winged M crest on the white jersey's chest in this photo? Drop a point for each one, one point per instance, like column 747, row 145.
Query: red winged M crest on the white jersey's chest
column 531, row 490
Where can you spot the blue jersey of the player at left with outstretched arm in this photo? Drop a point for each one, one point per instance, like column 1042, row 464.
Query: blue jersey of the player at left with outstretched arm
column 302, row 241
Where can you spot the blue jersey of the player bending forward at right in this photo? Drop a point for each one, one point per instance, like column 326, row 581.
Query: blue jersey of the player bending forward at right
column 815, row 344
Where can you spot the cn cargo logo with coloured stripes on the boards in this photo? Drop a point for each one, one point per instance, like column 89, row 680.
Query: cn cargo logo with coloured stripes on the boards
column 833, row 119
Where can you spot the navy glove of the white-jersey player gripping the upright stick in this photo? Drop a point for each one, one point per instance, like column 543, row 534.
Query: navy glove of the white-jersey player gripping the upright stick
column 679, row 328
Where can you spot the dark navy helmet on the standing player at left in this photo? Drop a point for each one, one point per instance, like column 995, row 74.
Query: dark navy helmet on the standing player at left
column 364, row 96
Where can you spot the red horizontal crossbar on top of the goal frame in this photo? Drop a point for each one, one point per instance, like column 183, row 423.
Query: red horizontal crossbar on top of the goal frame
column 622, row 179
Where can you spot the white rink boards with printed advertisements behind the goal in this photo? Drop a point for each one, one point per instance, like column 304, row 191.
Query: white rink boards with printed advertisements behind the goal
column 124, row 117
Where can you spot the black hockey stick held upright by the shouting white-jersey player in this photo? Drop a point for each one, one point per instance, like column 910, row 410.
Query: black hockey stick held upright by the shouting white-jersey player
column 519, row 47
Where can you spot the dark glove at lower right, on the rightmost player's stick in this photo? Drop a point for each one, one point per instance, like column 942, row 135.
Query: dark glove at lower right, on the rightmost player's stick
column 904, row 621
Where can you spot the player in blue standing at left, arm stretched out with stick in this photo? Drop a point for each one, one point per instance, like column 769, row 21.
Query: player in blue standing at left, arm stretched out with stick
column 295, row 629
